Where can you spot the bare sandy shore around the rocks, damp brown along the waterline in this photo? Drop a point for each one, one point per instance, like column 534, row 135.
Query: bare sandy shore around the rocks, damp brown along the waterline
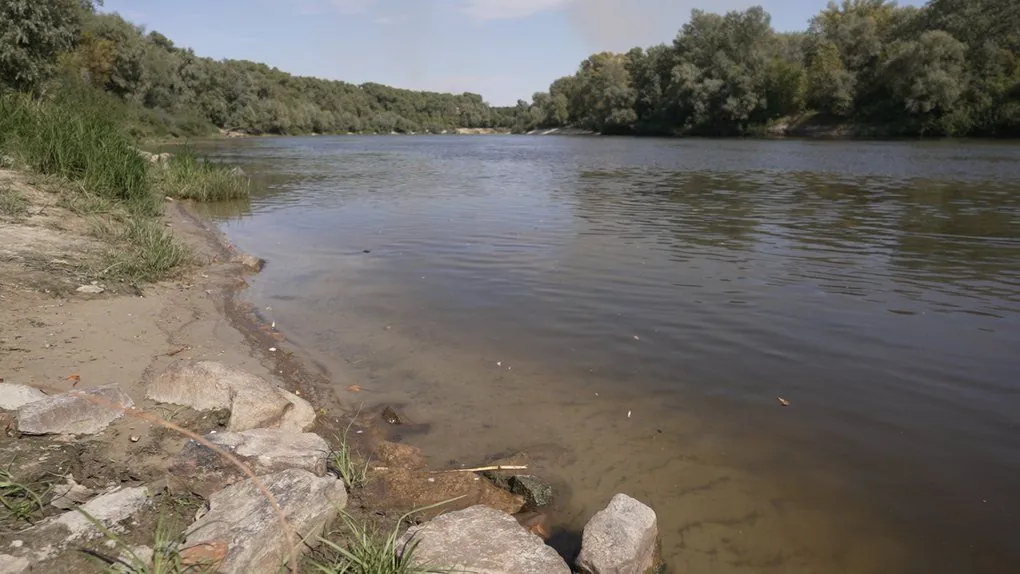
column 57, row 338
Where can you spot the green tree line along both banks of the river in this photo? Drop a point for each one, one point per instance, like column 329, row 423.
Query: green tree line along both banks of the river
column 951, row 68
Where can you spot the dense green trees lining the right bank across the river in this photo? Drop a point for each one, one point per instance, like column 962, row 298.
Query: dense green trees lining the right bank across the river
column 951, row 68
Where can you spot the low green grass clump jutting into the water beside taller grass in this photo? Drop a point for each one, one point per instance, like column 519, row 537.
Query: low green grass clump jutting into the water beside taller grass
column 188, row 177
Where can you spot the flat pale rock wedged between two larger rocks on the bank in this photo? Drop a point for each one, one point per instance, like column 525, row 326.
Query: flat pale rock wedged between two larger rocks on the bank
column 264, row 450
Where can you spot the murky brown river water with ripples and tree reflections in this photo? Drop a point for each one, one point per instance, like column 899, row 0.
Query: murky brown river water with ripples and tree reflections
column 630, row 310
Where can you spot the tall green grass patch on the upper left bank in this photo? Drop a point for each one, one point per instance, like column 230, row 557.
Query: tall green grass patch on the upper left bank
column 79, row 144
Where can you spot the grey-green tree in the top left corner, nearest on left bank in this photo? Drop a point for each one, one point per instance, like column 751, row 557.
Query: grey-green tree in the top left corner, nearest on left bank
column 33, row 35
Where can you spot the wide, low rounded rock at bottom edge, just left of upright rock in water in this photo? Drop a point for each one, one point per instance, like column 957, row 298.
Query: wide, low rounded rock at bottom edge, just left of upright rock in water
column 482, row 541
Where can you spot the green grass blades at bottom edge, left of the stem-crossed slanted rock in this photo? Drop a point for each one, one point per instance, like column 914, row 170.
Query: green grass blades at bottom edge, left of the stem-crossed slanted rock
column 165, row 559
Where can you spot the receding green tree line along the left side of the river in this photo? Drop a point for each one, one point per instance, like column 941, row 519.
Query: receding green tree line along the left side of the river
column 48, row 45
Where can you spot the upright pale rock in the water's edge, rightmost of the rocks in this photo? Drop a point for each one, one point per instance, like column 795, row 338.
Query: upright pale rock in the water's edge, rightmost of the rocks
column 620, row 540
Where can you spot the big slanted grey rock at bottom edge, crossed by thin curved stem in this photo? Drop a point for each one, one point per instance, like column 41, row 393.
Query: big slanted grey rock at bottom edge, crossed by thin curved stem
column 242, row 517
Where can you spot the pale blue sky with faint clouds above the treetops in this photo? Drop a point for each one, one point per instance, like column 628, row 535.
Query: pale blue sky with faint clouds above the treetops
column 502, row 49
